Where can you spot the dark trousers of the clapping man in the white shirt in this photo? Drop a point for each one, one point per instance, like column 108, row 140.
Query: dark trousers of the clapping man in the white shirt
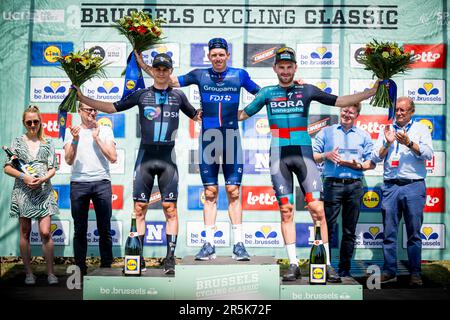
column 100, row 192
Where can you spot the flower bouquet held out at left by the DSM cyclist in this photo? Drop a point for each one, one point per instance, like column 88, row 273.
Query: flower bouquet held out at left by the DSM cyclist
column 79, row 67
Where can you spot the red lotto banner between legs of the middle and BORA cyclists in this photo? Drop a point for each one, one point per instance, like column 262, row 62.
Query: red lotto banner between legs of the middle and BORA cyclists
column 259, row 198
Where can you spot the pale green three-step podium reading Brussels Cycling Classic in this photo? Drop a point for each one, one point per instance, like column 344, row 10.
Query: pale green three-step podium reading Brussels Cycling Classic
column 220, row 279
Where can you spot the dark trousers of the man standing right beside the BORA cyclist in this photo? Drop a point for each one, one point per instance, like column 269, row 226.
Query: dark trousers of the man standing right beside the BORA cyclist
column 348, row 196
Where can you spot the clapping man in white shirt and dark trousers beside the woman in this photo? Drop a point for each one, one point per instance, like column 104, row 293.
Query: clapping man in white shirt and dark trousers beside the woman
column 89, row 148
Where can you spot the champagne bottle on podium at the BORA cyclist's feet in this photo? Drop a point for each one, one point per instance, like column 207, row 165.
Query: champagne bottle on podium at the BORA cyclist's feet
column 318, row 259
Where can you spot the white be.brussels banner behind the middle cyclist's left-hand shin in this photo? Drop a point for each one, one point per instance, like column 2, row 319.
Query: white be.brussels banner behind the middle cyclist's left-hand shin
column 196, row 235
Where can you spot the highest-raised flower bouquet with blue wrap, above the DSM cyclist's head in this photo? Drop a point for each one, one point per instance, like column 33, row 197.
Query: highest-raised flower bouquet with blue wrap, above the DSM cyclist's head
column 142, row 32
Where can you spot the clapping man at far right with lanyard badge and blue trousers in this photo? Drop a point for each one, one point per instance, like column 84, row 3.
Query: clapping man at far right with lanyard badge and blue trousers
column 404, row 148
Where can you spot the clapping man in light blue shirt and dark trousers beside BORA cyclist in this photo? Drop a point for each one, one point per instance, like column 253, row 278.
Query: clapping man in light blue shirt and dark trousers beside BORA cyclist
column 345, row 151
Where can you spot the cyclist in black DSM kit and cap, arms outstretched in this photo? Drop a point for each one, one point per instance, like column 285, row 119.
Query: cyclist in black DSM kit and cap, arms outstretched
column 159, row 108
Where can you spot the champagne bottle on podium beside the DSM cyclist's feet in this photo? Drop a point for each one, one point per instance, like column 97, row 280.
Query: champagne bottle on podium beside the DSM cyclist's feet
column 133, row 249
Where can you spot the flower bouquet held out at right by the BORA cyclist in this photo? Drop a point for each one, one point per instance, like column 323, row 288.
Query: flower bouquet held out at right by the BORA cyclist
column 385, row 59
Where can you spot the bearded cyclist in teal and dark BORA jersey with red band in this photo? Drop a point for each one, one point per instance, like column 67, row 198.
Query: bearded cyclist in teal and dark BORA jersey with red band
column 291, row 152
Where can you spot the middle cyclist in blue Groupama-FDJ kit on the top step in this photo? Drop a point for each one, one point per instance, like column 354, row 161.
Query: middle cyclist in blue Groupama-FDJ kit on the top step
column 220, row 145
